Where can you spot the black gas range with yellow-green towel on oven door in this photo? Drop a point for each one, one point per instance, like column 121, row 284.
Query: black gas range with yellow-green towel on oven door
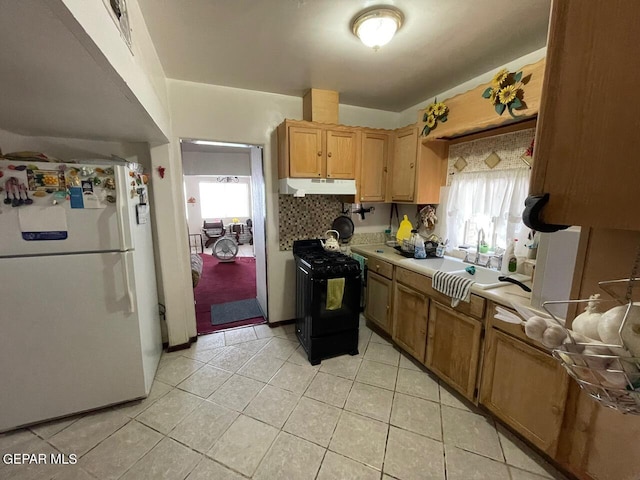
column 327, row 301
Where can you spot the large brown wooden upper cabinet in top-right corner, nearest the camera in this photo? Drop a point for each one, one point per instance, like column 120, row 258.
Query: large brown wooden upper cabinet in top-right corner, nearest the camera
column 587, row 141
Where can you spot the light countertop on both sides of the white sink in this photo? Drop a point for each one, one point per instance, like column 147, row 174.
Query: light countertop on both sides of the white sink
column 503, row 295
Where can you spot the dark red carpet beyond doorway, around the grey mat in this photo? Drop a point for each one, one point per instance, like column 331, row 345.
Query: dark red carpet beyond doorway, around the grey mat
column 223, row 282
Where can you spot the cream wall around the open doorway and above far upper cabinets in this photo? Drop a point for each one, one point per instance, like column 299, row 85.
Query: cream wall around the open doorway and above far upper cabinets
column 210, row 112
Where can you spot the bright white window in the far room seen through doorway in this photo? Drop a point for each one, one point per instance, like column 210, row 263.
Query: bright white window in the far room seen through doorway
column 224, row 200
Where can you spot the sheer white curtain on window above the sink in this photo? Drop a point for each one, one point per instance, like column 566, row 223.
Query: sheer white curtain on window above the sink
column 496, row 197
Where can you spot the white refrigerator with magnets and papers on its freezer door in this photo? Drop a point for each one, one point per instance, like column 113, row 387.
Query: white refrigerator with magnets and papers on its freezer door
column 79, row 317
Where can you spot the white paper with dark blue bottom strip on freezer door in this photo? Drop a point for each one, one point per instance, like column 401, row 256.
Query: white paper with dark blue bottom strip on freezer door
column 43, row 223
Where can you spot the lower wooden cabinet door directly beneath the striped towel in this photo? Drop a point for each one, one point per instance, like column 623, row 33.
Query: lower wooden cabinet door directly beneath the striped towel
column 453, row 348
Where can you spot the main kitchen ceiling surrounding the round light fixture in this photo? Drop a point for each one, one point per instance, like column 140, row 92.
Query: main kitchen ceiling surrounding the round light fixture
column 289, row 46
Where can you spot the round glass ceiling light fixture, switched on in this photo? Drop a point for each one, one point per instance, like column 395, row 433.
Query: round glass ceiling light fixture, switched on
column 376, row 27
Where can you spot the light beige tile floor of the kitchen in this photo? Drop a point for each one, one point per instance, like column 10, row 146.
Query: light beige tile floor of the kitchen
column 247, row 404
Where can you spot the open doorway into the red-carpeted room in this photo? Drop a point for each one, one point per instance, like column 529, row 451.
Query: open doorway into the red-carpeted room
column 225, row 210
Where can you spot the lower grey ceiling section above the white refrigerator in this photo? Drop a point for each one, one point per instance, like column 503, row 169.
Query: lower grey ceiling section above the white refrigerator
column 52, row 85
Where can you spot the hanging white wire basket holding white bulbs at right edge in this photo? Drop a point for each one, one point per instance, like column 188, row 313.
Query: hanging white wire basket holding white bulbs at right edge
column 612, row 379
